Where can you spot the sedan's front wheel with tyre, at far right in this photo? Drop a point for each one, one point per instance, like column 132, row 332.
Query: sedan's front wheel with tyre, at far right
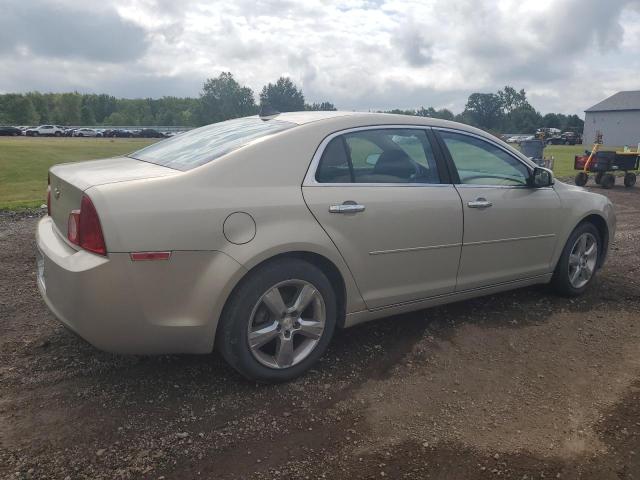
column 579, row 261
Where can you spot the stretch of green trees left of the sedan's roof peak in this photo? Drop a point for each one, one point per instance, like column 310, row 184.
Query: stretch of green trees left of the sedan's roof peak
column 221, row 98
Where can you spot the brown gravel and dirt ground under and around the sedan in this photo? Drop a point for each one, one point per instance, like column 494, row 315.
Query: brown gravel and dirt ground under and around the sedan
column 520, row 385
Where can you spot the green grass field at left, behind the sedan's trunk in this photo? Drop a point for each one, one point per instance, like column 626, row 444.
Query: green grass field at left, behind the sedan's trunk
column 25, row 161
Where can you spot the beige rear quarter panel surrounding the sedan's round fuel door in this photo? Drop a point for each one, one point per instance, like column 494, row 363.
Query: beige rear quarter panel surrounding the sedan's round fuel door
column 186, row 212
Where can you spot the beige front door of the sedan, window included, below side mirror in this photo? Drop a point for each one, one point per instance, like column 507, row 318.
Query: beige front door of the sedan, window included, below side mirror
column 509, row 227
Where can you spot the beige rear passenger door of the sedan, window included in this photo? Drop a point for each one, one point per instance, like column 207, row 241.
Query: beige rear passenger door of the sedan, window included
column 386, row 202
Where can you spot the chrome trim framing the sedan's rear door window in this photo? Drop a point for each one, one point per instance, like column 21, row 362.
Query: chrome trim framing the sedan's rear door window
column 310, row 177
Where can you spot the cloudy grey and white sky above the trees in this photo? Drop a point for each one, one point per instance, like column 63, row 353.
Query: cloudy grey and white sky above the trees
column 359, row 54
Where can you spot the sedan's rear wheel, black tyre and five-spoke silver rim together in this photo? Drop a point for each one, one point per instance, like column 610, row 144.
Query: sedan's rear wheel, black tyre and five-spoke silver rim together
column 279, row 321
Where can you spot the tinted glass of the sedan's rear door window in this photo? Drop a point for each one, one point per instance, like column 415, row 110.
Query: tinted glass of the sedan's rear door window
column 379, row 156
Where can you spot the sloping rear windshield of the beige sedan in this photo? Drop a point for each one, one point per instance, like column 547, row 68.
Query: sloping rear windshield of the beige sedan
column 202, row 145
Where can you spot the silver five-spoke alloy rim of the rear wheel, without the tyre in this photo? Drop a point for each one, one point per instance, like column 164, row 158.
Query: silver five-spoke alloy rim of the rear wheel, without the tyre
column 286, row 324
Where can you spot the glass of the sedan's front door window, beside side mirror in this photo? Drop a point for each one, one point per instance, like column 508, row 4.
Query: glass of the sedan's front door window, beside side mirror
column 481, row 163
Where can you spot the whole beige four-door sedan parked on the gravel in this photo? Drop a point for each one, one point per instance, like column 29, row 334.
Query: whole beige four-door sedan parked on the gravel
column 259, row 236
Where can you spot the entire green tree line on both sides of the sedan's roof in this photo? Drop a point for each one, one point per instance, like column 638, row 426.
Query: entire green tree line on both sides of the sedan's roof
column 223, row 97
